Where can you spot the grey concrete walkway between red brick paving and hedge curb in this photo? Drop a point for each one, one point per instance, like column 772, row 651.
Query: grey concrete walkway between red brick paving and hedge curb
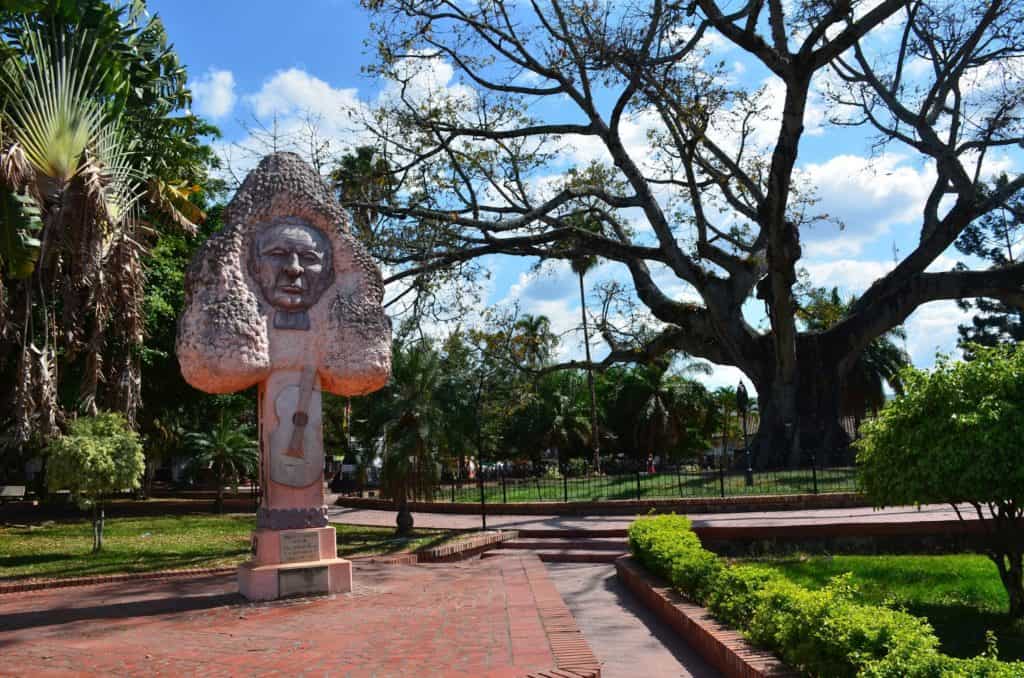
column 627, row 639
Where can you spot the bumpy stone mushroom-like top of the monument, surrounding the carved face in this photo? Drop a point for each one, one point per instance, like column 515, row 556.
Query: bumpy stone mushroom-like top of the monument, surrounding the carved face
column 227, row 336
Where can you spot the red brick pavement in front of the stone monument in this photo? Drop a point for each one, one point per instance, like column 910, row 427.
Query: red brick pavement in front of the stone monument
column 488, row 618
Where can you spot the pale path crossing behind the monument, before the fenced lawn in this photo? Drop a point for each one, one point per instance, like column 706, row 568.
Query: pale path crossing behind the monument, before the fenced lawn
column 817, row 517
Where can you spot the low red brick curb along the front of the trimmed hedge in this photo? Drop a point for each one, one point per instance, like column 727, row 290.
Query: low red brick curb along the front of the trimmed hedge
column 722, row 648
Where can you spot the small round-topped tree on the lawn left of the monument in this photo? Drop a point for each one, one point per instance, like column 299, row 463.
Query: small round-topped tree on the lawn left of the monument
column 98, row 456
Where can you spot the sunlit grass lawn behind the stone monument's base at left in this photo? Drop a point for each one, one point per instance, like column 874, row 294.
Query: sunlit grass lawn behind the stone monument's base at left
column 139, row 545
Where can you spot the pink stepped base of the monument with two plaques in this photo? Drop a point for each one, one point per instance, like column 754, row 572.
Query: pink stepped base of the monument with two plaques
column 290, row 563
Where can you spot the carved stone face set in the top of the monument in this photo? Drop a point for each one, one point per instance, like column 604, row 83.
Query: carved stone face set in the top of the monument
column 292, row 265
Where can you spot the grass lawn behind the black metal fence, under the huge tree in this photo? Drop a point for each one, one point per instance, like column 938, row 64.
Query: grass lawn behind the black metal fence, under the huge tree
column 656, row 486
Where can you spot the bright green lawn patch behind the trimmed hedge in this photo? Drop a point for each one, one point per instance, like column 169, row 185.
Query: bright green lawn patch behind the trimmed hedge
column 961, row 596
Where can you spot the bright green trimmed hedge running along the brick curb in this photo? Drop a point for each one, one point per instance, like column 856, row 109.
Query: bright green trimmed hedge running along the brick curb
column 823, row 633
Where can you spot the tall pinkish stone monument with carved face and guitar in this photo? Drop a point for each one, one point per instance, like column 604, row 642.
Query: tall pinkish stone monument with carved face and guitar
column 285, row 299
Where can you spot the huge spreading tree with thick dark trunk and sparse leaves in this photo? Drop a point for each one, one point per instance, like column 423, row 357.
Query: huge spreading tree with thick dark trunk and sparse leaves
column 721, row 210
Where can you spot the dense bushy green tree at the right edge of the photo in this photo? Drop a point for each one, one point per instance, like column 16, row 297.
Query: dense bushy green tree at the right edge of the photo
column 955, row 436
